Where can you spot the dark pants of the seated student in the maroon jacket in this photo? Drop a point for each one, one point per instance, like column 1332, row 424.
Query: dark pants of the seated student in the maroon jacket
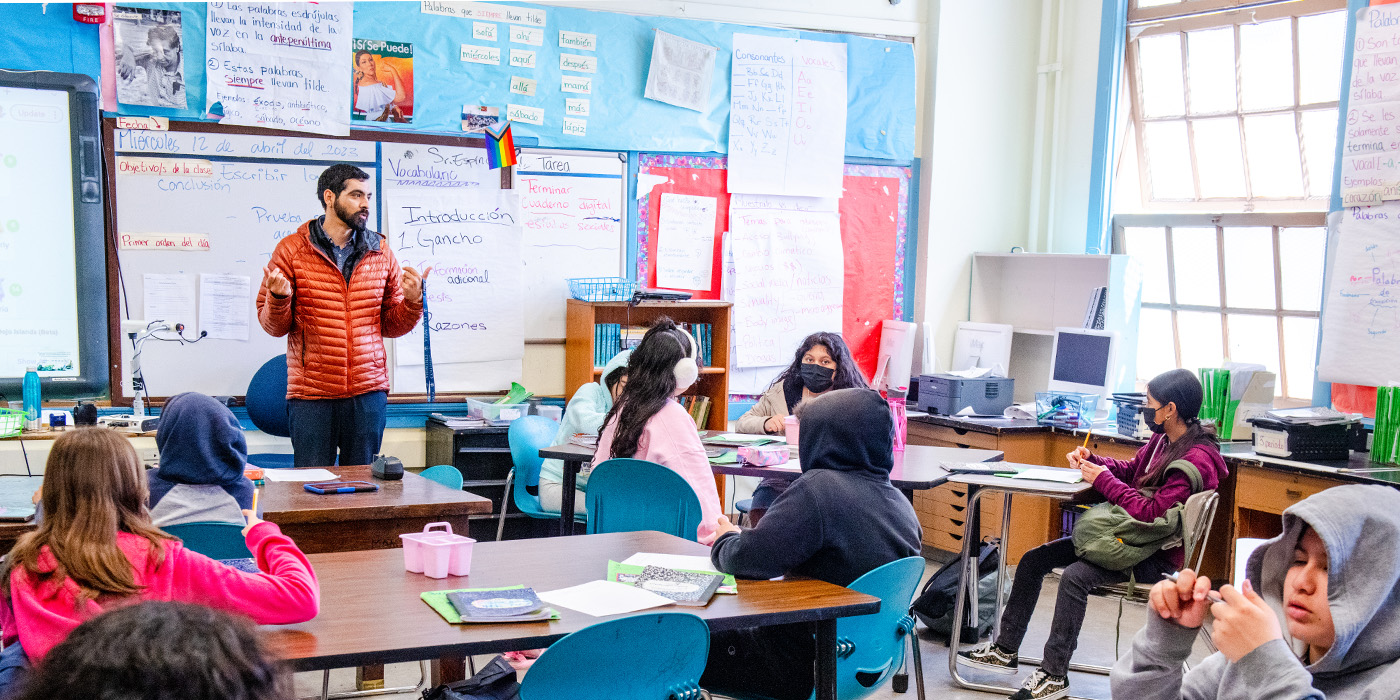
column 1076, row 583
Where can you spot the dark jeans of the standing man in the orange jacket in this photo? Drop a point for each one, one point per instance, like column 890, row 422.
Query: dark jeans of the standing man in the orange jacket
column 353, row 426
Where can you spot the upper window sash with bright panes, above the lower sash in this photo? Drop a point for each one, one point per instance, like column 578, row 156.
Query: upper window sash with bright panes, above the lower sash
column 1233, row 110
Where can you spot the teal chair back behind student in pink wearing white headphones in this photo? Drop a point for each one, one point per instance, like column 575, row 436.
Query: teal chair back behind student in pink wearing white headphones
column 636, row 495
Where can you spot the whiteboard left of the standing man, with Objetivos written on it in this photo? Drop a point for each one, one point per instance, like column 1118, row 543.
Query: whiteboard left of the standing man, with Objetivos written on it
column 244, row 208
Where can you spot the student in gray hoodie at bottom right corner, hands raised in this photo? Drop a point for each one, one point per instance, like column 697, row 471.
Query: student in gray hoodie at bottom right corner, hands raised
column 1318, row 618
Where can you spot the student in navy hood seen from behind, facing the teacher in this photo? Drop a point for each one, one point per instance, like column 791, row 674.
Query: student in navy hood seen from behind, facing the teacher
column 204, row 456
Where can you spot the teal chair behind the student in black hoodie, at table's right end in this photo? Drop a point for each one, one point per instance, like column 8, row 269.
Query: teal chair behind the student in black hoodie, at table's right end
column 871, row 647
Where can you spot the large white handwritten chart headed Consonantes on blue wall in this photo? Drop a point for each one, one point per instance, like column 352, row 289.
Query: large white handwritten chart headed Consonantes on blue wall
column 787, row 118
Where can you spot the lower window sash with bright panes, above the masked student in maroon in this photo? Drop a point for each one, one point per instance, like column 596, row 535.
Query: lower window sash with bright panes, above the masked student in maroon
column 1228, row 288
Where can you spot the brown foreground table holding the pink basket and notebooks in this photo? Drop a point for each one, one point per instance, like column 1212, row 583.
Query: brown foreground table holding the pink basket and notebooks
column 372, row 612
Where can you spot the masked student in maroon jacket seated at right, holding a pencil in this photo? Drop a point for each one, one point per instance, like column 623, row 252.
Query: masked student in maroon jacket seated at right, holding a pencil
column 1146, row 486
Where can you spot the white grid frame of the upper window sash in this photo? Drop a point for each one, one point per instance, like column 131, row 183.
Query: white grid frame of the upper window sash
column 1205, row 15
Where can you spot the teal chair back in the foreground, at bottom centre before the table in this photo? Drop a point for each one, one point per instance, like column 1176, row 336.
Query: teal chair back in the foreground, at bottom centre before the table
column 643, row 657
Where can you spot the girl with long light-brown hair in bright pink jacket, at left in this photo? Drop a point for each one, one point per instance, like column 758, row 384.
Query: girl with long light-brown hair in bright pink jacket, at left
column 97, row 551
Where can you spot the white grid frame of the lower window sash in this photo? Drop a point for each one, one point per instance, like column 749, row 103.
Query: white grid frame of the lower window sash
column 1220, row 222
